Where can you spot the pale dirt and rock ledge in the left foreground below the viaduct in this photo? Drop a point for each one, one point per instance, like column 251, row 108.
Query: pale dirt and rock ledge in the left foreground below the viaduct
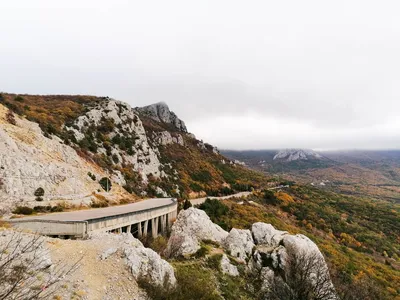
column 105, row 266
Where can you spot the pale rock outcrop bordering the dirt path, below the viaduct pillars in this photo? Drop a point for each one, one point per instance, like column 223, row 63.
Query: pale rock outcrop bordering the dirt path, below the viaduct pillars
column 142, row 262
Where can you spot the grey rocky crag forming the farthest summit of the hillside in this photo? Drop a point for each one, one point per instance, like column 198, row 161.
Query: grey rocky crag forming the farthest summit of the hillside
column 160, row 112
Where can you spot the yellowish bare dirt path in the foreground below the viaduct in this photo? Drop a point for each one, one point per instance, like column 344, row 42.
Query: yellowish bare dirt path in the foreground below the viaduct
column 94, row 278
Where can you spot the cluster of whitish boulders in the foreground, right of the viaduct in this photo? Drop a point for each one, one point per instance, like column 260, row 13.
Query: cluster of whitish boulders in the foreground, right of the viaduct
column 275, row 257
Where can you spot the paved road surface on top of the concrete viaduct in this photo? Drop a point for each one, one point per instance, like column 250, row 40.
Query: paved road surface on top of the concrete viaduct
column 97, row 213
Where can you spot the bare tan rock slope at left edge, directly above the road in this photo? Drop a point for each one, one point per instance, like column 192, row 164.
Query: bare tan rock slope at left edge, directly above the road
column 29, row 160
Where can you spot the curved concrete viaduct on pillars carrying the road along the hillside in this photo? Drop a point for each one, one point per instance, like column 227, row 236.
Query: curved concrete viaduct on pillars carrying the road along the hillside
column 142, row 218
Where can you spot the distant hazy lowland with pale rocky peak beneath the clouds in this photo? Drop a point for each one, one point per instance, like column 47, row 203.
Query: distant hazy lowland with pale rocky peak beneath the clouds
column 375, row 173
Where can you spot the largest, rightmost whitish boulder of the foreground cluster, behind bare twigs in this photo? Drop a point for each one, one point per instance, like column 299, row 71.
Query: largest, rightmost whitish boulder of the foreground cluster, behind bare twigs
column 278, row 252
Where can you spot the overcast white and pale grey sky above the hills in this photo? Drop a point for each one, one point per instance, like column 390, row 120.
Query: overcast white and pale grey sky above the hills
column 241, row 74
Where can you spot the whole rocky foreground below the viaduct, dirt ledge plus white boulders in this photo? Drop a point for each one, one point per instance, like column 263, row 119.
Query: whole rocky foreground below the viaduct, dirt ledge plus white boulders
column 114, row 266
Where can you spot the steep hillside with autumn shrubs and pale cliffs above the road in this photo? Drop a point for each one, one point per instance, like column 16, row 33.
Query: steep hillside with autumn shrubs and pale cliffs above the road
column 83, row 148
